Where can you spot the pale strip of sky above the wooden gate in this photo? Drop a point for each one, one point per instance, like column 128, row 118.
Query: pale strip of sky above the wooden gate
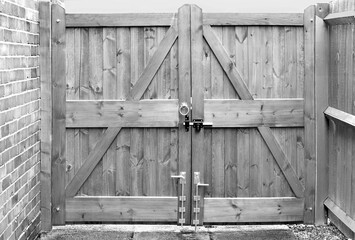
column 168, row 6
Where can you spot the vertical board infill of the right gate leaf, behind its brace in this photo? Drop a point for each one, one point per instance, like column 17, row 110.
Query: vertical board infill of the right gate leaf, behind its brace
column 271, row 61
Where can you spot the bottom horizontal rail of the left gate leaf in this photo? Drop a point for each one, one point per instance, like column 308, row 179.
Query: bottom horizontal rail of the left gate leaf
column 124, row 209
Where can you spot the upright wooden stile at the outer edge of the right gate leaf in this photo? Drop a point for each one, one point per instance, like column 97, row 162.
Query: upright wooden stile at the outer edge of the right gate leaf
column 310, row 135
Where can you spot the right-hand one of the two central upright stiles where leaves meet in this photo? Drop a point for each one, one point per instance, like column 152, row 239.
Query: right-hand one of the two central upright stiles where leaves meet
column 198, row 160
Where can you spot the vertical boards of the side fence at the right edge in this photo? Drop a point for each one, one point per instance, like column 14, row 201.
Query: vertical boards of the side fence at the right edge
column 341, row 97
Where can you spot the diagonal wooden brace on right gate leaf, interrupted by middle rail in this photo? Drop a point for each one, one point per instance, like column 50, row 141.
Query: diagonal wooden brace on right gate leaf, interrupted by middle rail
column 244, row 93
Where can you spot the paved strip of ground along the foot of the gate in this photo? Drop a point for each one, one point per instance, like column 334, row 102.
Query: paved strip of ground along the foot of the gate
column 169, row 232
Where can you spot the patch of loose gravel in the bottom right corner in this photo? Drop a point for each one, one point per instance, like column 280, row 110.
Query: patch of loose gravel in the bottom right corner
column 328, row 232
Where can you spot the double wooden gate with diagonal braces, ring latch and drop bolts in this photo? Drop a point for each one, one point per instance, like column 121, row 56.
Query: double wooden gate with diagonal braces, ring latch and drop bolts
column 127, row 76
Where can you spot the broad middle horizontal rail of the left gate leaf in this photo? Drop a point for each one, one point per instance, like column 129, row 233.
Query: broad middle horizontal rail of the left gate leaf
column 145, row 113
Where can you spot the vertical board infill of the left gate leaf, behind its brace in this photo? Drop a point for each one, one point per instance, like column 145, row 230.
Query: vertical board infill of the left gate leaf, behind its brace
column 103, row 64
